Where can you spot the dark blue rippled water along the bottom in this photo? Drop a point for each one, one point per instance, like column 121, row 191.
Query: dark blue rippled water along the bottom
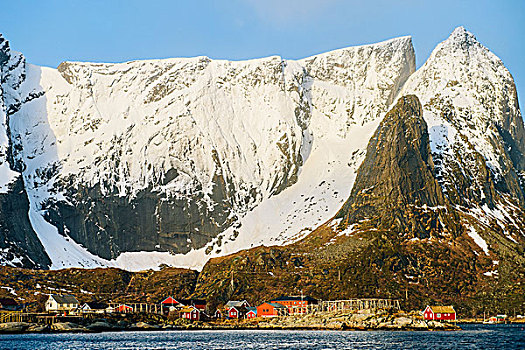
column 471, row 337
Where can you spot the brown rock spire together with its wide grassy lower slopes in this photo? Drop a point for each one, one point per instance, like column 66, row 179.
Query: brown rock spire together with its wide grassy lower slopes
column 397, row 235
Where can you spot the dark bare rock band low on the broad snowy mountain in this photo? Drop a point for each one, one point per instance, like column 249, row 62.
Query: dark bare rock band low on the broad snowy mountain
column 108, row 224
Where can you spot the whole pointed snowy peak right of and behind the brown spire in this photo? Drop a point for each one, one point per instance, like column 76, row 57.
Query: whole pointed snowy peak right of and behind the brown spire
column 475, row 126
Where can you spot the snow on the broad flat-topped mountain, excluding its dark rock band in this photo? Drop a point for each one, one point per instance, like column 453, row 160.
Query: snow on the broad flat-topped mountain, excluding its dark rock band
column 285, row 136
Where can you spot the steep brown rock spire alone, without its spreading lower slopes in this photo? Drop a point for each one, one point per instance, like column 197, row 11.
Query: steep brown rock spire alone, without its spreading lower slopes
column 395, row 188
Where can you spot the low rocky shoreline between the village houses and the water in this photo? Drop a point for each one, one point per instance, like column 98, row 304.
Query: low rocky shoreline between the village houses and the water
column 325, row 321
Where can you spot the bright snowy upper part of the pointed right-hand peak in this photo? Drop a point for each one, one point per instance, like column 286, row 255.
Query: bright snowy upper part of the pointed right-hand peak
column 466, row 90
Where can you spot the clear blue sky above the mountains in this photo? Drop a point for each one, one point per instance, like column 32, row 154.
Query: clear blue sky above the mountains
column 49, row 32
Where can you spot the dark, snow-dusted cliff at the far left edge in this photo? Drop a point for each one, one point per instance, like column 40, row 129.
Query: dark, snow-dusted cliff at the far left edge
column 19, row 245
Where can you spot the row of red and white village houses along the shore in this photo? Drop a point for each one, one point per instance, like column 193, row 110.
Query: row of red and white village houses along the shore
column 198, row 310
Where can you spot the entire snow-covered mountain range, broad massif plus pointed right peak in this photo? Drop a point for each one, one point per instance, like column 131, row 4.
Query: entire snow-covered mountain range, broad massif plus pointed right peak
column 176, row 161
